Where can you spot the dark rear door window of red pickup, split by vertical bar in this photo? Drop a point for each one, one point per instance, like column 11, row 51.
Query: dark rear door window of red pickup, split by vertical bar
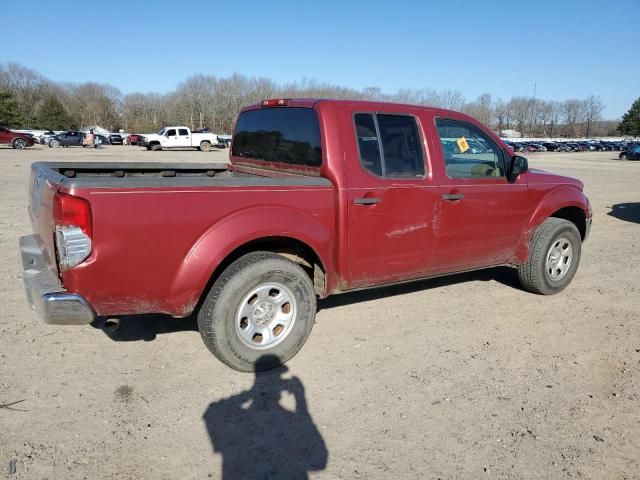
column 389, row 145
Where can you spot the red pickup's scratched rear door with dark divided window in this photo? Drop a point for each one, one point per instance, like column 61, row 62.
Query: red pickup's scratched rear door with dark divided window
column 391, row 196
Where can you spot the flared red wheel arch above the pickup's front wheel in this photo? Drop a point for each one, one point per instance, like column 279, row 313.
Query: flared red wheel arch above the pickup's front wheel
column 560, row 197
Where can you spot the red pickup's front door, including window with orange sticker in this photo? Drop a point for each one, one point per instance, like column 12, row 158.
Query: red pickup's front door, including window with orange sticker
column 482, row 214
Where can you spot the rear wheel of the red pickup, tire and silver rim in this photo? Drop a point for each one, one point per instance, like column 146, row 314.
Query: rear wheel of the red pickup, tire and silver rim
column 262, row 306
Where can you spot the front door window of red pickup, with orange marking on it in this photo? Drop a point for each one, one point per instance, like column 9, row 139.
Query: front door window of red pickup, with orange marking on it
column 469, row 152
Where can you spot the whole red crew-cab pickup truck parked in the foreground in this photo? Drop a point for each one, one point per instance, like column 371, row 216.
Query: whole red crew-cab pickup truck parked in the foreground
column 320, row 197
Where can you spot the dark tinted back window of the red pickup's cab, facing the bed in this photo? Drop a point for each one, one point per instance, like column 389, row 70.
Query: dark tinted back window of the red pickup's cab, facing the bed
column 281, row 134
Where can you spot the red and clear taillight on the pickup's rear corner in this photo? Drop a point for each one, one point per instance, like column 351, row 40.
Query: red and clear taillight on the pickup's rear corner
column 73, row 229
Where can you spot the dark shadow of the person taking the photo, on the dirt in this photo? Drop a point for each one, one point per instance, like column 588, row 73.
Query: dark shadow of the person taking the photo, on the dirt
column 258, row 438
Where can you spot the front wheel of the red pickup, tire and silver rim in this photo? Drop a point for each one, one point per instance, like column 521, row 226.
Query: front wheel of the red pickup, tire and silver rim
column 554, row 256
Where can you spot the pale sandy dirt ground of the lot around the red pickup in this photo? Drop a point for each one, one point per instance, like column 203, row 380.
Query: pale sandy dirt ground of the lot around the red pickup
column 462, row 377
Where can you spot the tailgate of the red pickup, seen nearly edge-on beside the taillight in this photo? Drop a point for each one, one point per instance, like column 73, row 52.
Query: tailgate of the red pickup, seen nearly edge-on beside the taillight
column 42, row 187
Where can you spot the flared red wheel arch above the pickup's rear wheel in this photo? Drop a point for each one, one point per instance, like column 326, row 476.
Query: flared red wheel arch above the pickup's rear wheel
column 238, row 229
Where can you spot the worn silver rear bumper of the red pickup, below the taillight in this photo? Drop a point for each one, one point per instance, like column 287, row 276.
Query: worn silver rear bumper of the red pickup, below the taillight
column 45, row 293
